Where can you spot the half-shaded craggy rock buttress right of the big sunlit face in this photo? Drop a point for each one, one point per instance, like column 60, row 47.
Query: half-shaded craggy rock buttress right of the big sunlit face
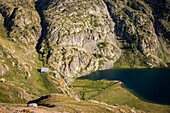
column 135, row 28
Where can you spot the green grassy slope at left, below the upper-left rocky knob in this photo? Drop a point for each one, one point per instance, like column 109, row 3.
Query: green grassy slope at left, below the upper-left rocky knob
column 23, row 78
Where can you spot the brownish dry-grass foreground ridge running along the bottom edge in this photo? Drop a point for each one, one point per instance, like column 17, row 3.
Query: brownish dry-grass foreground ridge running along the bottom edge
column 59, row 103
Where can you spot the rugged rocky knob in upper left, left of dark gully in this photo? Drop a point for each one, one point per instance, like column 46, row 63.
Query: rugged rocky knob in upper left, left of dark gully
column 21, row 20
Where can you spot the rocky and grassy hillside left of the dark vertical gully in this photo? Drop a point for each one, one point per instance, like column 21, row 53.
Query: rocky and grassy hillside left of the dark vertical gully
column 20, row 30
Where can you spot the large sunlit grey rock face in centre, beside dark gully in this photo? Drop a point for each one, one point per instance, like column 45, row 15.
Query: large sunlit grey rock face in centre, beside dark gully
column 81, row 35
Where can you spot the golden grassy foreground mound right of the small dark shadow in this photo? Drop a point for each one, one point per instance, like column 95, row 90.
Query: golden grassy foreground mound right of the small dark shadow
column 63, row 103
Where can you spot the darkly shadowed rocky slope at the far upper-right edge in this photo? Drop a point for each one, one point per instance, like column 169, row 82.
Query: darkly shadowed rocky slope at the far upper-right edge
column 161, row 11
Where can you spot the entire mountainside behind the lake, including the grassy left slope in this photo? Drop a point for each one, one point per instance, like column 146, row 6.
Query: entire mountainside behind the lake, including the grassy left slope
column 74, row 38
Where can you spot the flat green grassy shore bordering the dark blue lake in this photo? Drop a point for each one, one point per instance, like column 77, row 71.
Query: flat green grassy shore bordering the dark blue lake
column 113, row 94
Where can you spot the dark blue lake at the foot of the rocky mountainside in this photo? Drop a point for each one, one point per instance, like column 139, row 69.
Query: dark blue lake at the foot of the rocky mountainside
column 151, row 85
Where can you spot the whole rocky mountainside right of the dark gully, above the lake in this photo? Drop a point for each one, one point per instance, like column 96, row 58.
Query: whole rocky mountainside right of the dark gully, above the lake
column 85, row 36
